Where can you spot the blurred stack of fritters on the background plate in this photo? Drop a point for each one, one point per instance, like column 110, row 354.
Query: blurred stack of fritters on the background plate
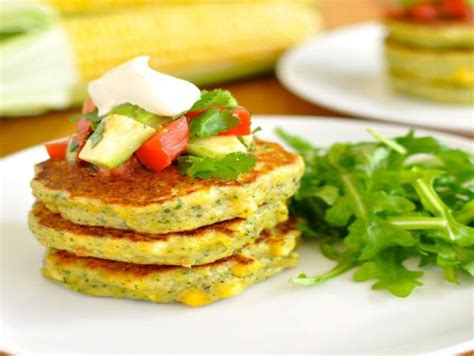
column 433, row 61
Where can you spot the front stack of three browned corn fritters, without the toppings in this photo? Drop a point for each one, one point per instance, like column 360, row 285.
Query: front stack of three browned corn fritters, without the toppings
column 166, row 237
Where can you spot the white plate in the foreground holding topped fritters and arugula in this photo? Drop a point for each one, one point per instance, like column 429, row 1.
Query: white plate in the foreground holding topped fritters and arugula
column 274, row 316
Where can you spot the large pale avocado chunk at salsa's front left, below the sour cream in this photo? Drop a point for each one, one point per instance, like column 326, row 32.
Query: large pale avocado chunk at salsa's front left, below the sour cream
column 115, row 142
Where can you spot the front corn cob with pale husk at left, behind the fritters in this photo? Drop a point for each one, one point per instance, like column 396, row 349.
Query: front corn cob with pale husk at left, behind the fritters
column 206, row 42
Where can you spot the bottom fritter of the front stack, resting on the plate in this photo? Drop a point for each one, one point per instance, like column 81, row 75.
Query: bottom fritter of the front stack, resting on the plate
column 194, row 286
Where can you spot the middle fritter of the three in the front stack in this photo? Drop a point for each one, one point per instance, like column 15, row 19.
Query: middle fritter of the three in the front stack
column 200, row 246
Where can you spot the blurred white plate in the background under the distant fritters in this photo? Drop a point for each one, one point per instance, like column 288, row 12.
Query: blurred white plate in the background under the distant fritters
column 344, row 70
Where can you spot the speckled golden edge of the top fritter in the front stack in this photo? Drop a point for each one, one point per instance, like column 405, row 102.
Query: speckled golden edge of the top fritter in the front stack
column 230, row 199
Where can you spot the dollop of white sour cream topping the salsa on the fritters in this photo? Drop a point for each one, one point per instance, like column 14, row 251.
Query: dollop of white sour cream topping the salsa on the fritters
column 136, row 83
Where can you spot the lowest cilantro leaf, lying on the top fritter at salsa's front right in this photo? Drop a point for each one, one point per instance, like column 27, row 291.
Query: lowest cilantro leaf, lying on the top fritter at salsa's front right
column 229, row 167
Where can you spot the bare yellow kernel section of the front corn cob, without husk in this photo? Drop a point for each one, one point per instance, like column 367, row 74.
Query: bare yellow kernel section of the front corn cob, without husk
column 185, row 40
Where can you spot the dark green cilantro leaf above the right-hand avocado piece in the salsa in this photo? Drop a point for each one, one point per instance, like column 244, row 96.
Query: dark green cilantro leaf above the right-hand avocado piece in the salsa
column 211, row 122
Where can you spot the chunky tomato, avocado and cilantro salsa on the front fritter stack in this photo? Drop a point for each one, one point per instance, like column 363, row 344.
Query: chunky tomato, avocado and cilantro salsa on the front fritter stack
column 211, row 139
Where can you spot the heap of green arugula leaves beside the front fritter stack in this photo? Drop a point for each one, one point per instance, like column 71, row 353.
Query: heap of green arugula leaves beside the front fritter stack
column 373, row 205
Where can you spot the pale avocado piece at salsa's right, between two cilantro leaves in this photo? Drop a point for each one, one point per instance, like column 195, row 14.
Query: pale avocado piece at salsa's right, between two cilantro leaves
column 216, row 146
